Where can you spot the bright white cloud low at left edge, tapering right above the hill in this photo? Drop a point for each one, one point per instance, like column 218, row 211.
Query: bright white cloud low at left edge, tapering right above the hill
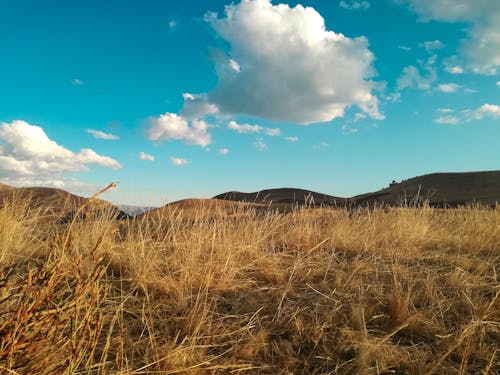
column 26, row 152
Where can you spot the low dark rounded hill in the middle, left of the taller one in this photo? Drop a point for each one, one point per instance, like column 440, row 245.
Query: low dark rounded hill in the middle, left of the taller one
column 284, row 196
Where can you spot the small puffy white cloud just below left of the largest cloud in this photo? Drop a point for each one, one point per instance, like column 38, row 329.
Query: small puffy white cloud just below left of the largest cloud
column 173, row 127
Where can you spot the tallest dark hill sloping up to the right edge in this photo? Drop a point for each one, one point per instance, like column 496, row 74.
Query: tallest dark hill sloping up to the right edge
column 439, row 189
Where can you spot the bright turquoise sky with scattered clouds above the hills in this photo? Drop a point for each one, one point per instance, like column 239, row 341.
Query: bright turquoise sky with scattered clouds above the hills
column 177, row 99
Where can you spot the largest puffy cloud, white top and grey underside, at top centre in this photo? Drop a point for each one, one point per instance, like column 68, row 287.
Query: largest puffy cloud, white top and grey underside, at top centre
column 290, row 68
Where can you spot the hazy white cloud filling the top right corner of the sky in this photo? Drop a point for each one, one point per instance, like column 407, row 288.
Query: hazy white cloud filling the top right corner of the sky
column 481, row 47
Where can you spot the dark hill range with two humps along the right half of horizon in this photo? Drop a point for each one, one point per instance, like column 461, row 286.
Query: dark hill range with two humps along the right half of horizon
column 438, row 189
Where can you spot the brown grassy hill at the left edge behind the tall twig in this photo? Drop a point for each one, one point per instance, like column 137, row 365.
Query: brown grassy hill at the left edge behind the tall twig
column 56, row 203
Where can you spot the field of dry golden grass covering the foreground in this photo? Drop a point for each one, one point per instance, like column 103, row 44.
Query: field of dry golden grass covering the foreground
column 315, row 291
